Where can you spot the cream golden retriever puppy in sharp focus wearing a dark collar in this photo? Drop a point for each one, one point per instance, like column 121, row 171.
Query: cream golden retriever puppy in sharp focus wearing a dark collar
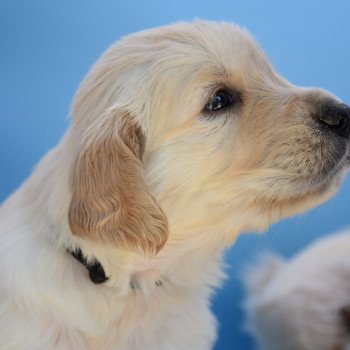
column 181, row 138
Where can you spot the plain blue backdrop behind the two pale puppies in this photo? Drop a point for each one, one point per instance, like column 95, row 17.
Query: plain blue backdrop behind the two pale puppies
column 46, row 48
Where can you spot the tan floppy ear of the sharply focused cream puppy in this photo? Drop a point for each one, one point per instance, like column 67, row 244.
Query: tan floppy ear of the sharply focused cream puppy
column 111, row 202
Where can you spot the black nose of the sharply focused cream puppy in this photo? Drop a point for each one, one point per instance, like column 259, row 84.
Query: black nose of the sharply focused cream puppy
column 335, row 117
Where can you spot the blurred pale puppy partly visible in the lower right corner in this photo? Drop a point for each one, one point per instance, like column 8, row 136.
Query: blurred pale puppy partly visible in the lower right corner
column 304, row 303
